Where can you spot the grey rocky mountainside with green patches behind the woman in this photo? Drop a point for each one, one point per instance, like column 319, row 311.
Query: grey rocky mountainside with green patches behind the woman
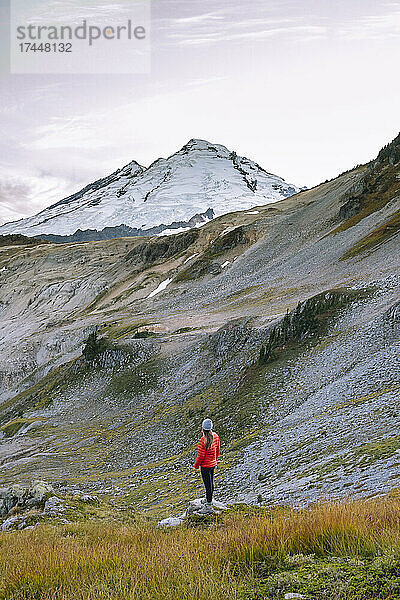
column 281, row 323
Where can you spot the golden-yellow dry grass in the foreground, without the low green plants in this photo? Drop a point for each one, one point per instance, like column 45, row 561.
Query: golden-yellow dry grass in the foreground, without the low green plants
column 139, row 562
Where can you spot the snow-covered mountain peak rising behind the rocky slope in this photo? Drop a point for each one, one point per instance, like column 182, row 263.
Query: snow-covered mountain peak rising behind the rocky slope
column 198, row 181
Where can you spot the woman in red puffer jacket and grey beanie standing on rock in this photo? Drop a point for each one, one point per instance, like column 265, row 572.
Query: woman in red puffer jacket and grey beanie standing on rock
column 207, row 455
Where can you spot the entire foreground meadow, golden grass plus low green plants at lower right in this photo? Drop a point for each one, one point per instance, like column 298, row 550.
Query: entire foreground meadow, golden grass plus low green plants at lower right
column 330, row 550
